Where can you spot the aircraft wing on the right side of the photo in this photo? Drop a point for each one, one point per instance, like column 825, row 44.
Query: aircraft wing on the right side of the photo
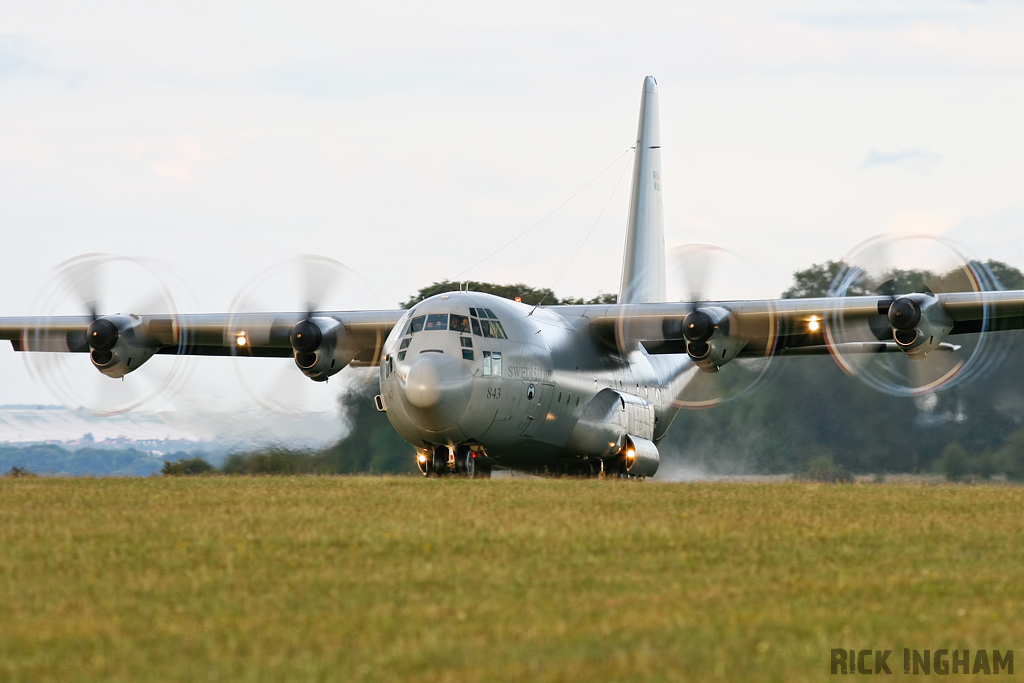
column 792, row 327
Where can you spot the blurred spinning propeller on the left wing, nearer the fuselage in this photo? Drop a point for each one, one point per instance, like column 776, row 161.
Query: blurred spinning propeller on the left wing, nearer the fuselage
column 312, row 286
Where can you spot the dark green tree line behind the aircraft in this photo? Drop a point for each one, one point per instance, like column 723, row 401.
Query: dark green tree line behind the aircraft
column 807, row 416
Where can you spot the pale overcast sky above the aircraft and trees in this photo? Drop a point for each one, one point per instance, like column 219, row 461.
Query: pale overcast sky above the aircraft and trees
column 410, row 141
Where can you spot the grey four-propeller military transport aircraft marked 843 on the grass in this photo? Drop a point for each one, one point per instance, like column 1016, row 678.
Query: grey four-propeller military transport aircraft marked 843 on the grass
column 475, row 381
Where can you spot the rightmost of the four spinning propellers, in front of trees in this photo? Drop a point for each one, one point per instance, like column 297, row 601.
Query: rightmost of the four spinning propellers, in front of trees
column 890, row 268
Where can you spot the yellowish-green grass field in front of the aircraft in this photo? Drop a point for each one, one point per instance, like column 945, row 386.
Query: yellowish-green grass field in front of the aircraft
column 350, row 579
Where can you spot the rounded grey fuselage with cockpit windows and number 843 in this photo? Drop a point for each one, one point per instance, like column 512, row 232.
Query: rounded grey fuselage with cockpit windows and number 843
column 523, row 390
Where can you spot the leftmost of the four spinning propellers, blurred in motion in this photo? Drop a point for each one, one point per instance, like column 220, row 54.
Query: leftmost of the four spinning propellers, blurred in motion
column 91, row 287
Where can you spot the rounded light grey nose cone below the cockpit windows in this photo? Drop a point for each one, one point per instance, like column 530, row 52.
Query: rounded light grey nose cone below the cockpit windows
column 438, row 390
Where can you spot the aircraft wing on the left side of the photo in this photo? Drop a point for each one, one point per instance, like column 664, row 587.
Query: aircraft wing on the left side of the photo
column 257, row 335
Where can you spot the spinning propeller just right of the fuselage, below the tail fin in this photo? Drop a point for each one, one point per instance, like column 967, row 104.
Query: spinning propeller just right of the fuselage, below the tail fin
column 706, row 278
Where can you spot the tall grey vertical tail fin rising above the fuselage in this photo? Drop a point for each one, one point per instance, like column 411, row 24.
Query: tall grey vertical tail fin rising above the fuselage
column 644, row 259
